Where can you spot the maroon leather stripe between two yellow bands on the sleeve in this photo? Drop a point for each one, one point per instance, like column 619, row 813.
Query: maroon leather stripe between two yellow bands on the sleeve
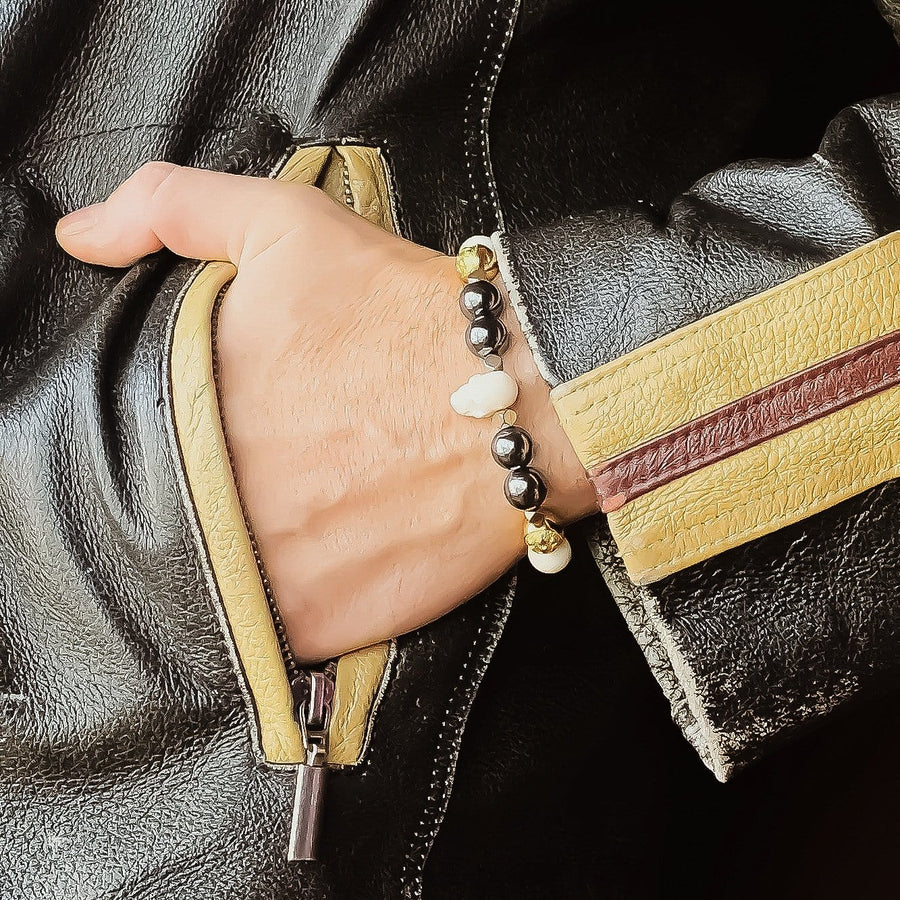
column 773, row 410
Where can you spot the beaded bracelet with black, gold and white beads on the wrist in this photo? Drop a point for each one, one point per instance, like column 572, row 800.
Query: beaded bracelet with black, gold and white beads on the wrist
column 493, row 393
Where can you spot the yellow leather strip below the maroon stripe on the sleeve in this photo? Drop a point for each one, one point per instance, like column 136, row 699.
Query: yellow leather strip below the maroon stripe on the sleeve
column 760, row 490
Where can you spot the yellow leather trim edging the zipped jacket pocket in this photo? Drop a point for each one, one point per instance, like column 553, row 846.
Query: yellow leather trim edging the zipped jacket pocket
column 356, row 176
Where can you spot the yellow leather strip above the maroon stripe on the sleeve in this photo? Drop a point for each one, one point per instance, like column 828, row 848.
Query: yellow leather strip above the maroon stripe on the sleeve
column 725, row 356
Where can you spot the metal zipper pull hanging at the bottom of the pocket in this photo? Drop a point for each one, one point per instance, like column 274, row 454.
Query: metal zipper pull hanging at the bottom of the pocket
column 313, row 694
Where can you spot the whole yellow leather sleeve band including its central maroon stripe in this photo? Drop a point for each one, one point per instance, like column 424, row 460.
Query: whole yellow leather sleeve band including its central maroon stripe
column 755, row 476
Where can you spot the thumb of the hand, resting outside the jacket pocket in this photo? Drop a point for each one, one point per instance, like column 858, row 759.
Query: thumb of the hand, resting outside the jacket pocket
column 194, row 212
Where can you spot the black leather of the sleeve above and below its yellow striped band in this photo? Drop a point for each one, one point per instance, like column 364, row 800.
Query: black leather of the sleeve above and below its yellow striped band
column 621, row 279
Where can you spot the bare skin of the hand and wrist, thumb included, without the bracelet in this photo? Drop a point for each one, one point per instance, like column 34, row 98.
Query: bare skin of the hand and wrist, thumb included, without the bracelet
column 376, row 508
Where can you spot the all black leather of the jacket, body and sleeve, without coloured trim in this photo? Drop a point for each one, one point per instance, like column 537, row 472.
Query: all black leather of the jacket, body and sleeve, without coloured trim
column 131, row 762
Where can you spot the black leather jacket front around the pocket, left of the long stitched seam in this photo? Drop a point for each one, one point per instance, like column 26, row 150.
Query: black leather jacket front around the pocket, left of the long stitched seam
column 127, row 764
